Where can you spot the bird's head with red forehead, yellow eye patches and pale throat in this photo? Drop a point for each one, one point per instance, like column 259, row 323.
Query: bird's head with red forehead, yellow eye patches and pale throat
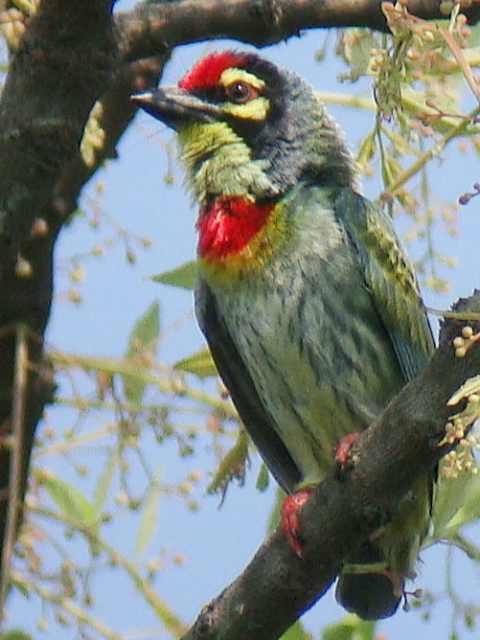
column 249, row 128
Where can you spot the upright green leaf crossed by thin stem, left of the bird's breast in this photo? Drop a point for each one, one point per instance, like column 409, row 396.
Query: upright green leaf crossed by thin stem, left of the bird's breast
column 141, row 347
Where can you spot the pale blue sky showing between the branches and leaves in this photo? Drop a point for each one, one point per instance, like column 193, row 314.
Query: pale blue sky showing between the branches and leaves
column 216, row 543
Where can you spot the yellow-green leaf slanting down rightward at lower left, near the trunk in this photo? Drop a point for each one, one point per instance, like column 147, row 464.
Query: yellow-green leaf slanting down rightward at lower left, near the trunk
column 69, row 500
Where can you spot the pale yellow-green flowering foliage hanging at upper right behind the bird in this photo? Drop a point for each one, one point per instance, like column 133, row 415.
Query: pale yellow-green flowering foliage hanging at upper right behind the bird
column 417, row 81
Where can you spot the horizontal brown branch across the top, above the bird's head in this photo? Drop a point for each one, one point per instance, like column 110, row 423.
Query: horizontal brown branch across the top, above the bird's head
column 157, row 28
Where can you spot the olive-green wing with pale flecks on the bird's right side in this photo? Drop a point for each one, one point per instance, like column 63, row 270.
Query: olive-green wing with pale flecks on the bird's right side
column 390, row 278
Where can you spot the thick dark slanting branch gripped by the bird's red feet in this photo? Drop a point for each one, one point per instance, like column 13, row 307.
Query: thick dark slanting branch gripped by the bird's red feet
column 277, row 587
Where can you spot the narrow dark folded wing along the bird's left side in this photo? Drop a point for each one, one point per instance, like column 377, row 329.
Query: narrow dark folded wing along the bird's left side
column 237, row 379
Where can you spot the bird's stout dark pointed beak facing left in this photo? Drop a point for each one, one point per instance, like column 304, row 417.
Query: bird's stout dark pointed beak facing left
column 176, row 107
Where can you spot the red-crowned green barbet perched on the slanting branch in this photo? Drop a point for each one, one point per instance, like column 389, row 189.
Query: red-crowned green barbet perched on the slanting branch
column 311, row 309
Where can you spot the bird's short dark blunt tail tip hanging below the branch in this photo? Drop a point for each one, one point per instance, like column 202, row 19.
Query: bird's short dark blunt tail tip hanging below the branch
column 370, row 595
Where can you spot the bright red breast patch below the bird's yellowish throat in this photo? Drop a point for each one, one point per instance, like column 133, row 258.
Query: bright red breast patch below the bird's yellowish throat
column 228, row 225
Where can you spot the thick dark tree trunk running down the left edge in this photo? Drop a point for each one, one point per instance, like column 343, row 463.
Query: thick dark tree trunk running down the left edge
column 64, row 60
